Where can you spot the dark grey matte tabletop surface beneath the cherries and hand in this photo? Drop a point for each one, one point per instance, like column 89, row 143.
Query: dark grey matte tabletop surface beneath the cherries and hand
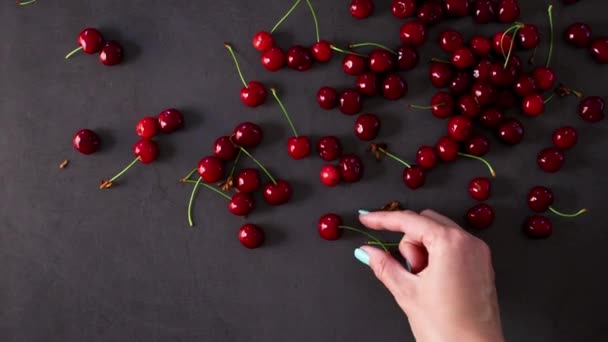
column 79, row 264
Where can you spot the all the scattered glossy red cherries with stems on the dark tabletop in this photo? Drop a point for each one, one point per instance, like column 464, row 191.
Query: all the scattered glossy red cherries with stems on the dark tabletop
column 479, row 81
